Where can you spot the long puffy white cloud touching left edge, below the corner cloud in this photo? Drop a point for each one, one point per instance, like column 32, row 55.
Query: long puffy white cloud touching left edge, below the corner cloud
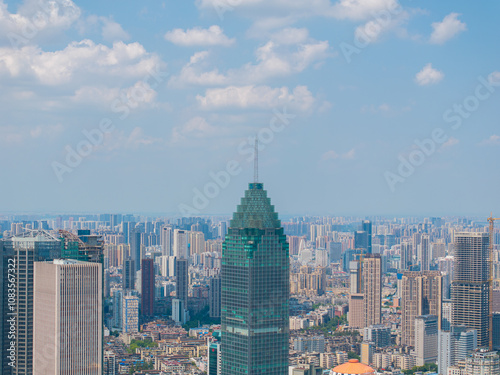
column 78, row 62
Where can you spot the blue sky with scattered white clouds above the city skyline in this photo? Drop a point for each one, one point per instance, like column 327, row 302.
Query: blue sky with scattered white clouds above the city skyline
column 361, row 107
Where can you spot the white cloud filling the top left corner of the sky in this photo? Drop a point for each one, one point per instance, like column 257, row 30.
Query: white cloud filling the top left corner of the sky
column 35, row 18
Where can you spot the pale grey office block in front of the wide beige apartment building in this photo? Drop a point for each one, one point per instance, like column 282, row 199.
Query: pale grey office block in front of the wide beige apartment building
column 426, row 339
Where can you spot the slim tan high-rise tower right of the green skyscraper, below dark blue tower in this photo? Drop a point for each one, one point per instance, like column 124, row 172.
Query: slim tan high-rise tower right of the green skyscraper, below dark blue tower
column 372, row 289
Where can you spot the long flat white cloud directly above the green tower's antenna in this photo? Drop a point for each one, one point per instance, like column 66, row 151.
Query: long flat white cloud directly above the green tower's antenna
column 256, row 97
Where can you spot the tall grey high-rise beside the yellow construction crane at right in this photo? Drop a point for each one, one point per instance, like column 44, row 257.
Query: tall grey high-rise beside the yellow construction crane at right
column 470, row 286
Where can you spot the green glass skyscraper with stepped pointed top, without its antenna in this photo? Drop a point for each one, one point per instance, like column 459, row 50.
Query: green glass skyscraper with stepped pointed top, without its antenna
column 255, row 289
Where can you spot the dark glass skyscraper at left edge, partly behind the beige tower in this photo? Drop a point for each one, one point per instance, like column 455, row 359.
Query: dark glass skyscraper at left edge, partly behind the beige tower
column 18, row 257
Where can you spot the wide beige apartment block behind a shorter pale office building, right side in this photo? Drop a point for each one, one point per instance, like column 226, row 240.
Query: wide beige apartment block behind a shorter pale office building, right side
column 421, row 295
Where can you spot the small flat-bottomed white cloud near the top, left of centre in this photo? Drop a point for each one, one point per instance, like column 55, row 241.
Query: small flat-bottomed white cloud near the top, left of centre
column 213, row 36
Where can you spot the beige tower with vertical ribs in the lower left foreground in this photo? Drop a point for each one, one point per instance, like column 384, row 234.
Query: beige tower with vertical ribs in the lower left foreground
column 67, row 318
